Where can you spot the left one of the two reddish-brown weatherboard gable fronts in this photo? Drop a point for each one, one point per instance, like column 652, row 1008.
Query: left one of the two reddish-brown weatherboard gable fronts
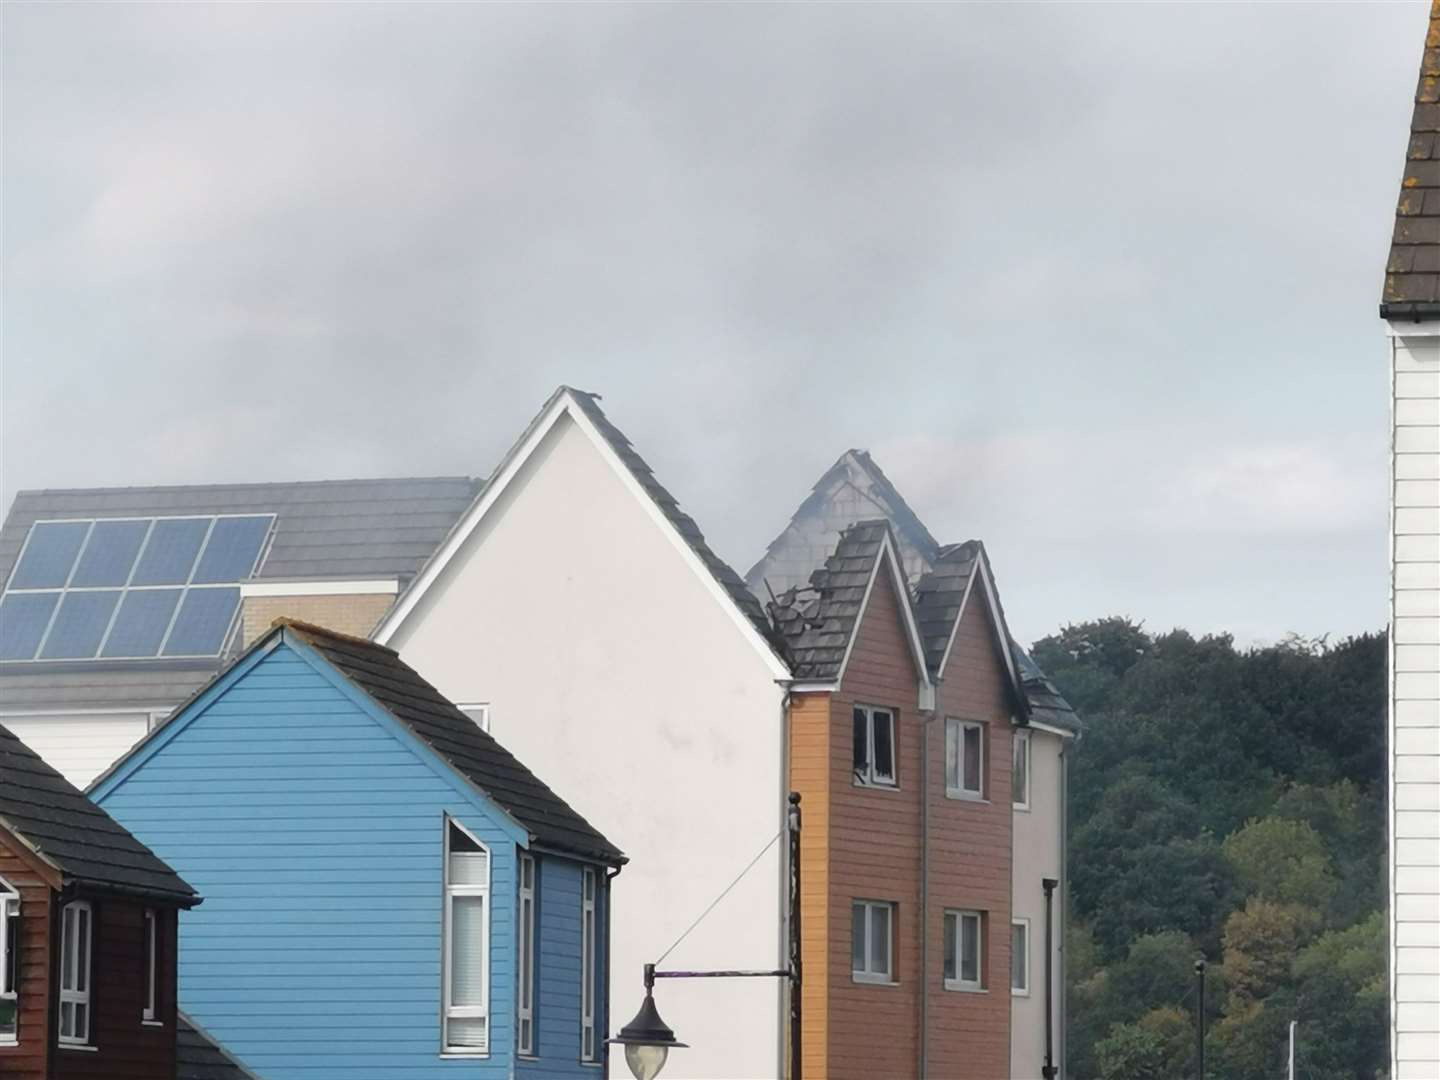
column 875, row 855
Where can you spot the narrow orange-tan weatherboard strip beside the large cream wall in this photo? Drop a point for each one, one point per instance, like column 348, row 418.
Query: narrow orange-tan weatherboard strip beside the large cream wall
column 810, row 777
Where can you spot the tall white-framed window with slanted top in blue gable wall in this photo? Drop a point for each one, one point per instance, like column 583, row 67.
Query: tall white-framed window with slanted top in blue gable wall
column 467, row 944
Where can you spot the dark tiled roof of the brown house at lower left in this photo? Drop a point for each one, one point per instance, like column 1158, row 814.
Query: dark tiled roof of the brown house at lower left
column 76, row 836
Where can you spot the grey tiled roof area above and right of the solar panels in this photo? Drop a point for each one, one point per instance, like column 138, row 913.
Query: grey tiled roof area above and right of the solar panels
column 323, row 529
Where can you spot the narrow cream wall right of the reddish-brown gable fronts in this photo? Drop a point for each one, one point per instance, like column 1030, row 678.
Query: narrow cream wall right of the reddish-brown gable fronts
column 1039, row 855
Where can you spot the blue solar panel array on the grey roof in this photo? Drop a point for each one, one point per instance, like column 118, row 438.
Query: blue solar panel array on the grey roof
column 129, row 588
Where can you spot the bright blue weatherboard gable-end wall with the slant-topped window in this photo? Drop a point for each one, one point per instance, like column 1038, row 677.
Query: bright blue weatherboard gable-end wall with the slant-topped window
column 313, row 826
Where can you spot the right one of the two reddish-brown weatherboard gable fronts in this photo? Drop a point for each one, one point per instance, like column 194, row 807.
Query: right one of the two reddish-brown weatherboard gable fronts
column 971, row 860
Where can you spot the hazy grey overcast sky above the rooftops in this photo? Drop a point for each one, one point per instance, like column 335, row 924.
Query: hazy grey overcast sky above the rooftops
column 1094, row 283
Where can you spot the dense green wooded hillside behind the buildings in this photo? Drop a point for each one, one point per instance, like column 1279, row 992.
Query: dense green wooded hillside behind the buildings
column 1225, row 804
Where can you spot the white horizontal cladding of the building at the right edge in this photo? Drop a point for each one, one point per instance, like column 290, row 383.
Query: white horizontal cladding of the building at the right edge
column 1415, row 702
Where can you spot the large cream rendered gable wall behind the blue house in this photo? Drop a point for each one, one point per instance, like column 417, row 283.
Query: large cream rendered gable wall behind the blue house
column 624, row 685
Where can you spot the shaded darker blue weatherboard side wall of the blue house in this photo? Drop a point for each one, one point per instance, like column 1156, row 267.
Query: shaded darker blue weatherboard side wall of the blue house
column 558, row 973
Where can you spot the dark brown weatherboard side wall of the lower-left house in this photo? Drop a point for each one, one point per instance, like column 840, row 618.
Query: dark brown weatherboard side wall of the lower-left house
column 126, row 1049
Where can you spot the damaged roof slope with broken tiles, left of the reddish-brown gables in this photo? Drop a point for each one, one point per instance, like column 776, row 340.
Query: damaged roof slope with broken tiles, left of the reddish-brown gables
column 820, row 621
